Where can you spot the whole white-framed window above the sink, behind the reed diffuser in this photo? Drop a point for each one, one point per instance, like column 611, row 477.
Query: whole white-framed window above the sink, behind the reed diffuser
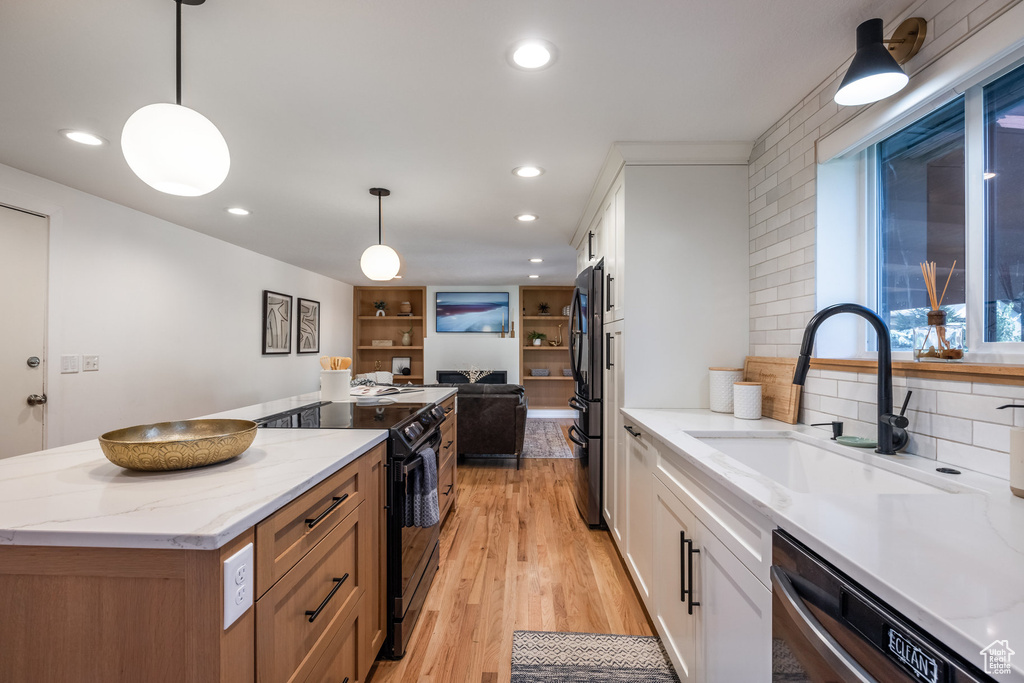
column 950, row 189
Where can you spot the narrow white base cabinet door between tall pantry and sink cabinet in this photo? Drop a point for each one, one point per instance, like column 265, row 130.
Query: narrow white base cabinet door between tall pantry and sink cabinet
column 639, row 509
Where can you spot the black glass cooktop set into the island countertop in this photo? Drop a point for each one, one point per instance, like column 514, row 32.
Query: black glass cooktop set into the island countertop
column 343, row 416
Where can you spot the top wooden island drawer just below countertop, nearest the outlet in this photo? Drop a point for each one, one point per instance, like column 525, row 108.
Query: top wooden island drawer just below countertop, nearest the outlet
column 284, row 538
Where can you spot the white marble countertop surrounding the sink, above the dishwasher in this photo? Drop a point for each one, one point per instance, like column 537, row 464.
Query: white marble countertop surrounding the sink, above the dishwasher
column 952, row 563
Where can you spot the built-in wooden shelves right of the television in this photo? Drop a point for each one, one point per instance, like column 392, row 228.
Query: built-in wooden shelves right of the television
column 554, row 391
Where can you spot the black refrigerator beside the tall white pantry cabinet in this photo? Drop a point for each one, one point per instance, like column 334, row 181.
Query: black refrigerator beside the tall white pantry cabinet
column 587, row 361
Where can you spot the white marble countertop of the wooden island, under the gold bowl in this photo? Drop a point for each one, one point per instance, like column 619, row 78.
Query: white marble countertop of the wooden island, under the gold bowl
column 73, row 496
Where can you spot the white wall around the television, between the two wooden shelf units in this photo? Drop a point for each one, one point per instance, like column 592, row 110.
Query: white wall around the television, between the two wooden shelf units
column 462, row 351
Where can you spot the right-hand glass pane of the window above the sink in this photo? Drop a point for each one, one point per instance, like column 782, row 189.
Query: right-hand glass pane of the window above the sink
column 1004, row 177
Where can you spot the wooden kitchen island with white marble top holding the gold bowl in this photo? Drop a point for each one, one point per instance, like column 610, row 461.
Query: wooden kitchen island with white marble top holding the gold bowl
column 109, row 575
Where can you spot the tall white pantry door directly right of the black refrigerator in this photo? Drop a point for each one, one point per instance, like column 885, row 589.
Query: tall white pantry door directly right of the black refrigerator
column 614, row 437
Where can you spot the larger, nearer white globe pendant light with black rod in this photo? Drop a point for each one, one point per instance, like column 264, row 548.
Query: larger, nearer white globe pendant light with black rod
column 173, row 148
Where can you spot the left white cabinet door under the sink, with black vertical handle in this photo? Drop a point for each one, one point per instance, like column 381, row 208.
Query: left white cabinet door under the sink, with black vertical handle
column 673, row 523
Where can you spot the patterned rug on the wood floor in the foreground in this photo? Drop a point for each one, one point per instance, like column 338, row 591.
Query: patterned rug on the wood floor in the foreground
column 540, row 657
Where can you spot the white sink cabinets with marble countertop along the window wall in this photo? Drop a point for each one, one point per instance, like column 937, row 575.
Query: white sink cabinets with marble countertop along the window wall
column 948, row 561
